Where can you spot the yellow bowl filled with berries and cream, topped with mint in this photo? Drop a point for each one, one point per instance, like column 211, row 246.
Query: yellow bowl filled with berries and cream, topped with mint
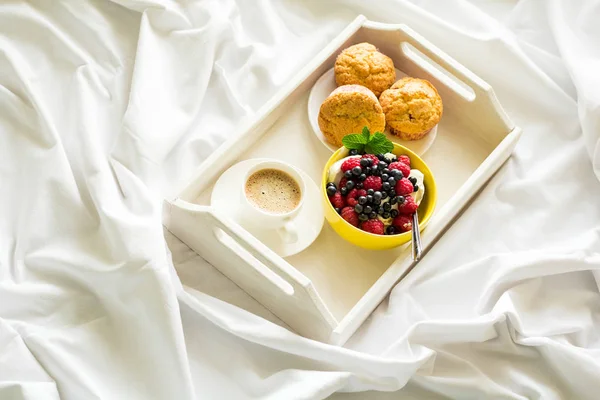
column 371, row 188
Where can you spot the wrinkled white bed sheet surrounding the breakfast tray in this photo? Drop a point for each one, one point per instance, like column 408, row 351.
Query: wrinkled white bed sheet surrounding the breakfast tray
column 107, row 107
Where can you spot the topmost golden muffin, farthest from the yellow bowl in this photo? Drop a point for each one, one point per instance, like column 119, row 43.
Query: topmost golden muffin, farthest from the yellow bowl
column 362, row 64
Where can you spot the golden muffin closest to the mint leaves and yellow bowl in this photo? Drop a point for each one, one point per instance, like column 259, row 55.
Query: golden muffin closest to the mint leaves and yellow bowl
column 347, row 110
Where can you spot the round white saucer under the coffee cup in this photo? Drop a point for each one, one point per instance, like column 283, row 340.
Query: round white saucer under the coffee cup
column 226, row 198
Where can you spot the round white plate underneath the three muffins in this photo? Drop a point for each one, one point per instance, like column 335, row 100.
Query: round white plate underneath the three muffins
column 323, row 88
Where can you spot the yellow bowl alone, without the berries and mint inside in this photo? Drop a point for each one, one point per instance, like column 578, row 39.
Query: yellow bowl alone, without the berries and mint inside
column 380, row 242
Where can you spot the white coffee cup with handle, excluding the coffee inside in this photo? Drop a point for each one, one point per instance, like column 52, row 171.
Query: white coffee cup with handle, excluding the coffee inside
column 282, row 222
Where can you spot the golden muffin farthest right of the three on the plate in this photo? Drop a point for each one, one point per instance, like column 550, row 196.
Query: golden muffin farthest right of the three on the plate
column 412, row 108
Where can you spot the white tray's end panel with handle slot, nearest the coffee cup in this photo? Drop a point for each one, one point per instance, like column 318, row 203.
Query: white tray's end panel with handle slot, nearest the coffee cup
column 254, row 267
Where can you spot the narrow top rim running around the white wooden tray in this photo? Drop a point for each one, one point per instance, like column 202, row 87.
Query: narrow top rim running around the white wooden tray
column 444, row 218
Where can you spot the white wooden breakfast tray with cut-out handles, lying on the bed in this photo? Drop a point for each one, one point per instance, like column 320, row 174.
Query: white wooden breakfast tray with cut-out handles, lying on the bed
column 329, row 289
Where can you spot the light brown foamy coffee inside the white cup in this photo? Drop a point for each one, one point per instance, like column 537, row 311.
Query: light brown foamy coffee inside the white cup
column 273, row 191
